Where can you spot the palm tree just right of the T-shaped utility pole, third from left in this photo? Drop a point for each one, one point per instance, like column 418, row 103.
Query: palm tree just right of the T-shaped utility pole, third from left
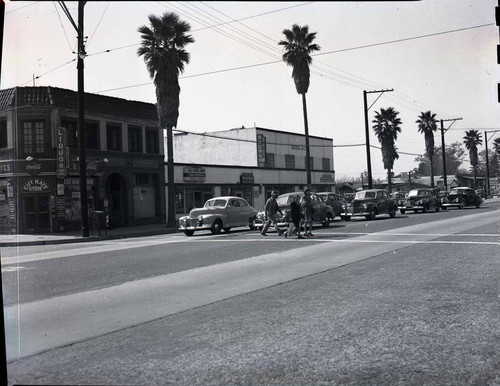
column 386, row 127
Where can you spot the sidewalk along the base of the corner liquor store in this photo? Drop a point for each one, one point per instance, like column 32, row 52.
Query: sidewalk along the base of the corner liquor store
column 76, row 236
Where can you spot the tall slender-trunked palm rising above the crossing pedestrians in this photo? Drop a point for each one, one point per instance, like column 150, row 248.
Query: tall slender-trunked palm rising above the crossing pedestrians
column 298, row 47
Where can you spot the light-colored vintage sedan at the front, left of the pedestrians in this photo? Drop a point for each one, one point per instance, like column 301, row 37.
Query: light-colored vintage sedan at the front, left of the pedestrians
column 219, row 213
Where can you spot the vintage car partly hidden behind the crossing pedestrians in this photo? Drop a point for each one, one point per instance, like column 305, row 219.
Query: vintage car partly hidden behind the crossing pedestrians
column 322, row 213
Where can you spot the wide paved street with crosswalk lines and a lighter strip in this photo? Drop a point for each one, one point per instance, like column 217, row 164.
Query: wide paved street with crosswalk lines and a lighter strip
column 410, row 300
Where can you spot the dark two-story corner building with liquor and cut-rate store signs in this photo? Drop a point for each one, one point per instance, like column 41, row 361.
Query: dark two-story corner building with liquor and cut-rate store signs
column 39, row 161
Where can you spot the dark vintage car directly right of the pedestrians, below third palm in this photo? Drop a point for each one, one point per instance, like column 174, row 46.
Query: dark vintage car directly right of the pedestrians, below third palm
column 370, row 203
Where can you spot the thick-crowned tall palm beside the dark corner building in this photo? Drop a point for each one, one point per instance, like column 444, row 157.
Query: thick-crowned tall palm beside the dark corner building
column 162, row 47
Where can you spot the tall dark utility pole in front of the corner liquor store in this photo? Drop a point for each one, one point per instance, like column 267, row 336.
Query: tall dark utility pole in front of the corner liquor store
column 81, row 114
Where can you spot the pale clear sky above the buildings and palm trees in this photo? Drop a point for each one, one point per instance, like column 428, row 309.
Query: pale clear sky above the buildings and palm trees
column 435, row 55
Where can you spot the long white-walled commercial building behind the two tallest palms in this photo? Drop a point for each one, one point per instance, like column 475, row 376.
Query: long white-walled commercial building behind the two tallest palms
column 248, row 163
